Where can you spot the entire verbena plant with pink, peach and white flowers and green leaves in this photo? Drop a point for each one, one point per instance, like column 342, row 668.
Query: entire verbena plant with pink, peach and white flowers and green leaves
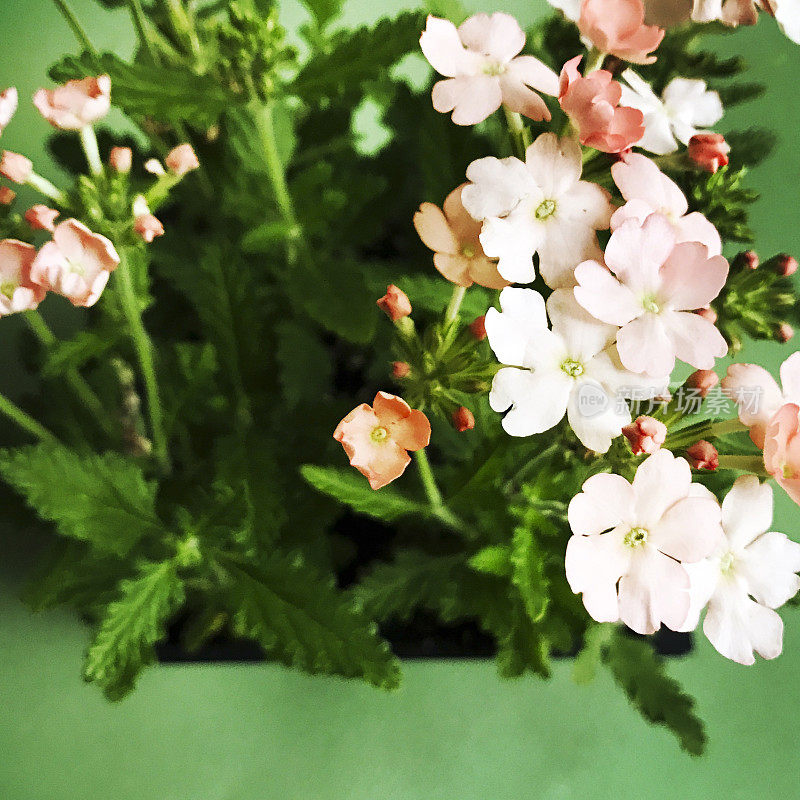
column 182, row 436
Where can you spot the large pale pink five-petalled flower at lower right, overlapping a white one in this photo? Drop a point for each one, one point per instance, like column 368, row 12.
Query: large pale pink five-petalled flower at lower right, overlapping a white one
column 630, row 542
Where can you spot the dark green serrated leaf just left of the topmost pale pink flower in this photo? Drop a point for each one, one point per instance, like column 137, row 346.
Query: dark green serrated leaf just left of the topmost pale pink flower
column 358, row 56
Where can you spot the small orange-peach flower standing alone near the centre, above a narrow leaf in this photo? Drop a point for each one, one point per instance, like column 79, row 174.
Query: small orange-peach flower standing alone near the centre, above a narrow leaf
column 376, row 439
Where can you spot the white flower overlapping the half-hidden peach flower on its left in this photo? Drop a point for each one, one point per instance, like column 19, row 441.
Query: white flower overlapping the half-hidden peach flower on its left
column 539, row 206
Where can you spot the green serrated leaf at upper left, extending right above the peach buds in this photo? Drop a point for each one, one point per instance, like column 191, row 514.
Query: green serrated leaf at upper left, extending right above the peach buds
column 166, row 94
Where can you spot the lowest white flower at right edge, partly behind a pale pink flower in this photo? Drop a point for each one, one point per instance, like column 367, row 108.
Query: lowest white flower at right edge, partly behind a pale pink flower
column 751, row 573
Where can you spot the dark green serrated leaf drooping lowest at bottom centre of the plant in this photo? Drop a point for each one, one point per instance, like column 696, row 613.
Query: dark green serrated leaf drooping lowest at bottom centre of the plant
column 303, row 621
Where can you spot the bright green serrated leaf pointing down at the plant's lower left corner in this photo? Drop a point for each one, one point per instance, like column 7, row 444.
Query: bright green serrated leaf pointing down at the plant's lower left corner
column 133, row 623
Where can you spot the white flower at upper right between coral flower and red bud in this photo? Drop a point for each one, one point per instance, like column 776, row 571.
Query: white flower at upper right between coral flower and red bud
column 674, row 117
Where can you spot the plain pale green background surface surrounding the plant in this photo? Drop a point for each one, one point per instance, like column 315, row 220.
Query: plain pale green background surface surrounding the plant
column 454, row 731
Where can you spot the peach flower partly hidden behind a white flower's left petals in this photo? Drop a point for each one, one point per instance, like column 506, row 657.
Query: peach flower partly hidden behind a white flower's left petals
column 453, row 235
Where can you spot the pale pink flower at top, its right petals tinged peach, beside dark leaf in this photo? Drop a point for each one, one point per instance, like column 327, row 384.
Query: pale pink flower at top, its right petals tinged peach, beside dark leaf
column 478, row 60
